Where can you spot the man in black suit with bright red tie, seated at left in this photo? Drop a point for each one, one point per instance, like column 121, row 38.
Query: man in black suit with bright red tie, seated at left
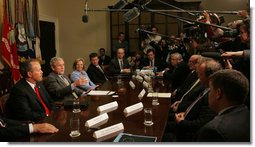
column 29, row 100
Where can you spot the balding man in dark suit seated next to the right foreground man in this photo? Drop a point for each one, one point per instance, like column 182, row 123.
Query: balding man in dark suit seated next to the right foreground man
column 187, row 123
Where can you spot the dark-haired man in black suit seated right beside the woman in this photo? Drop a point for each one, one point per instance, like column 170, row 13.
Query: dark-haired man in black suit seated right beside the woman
column 95, row 71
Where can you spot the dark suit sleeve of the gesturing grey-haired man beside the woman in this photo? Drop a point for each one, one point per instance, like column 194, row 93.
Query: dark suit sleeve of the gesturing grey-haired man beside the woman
column 56, row 91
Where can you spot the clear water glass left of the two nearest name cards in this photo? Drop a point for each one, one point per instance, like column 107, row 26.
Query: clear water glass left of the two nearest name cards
column 75, row 126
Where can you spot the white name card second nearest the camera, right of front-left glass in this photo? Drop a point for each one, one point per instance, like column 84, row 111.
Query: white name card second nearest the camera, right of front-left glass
column 97, row 121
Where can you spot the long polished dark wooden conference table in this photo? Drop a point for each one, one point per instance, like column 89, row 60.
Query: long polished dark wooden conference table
column 126, row 97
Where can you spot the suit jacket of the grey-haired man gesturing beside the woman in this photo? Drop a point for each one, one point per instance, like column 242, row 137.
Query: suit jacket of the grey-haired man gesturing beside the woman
column 58, row 89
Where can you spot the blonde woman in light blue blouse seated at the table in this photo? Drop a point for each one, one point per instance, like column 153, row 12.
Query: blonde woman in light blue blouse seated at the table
column 79, row 71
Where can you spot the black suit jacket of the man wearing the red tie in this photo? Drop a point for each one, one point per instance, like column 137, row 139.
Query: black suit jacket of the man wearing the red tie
column 24, row 104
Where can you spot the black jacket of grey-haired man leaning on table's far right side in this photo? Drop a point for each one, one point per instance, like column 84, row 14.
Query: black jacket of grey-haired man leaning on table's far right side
column 177, row 75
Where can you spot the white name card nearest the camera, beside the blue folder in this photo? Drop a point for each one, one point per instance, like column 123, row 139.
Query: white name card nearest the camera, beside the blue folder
column 108, row 132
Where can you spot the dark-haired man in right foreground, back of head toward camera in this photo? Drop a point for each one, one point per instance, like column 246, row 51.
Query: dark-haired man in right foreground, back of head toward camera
column 228, row 91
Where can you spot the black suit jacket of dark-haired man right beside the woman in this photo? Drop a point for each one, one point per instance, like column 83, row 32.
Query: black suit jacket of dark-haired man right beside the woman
column 95, row 74
